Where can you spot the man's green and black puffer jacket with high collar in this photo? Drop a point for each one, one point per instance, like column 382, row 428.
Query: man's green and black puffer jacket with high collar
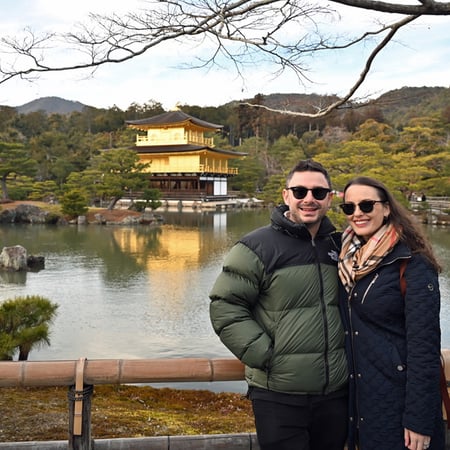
column 275, row 307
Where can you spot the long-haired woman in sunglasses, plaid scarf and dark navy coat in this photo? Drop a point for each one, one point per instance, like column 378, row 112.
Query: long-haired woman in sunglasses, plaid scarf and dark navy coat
column 393, row 340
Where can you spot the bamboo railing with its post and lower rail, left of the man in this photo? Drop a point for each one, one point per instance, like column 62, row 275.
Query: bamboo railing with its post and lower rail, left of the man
column 81, row 375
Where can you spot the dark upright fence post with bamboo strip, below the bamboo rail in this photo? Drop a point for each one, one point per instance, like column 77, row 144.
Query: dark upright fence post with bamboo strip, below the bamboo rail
column 80, row 435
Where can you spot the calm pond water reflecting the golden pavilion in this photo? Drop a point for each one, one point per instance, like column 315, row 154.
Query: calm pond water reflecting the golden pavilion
column 141, row 292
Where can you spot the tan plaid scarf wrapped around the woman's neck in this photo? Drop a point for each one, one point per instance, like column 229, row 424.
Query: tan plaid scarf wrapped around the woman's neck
column 359, row 258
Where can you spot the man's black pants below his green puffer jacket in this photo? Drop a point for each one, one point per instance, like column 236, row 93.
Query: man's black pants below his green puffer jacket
column 320, row 424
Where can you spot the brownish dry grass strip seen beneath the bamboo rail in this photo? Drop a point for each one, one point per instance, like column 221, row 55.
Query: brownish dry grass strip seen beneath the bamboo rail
column 40, row 414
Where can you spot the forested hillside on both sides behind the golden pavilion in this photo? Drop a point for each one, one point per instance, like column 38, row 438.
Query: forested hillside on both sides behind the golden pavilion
column 402, row 137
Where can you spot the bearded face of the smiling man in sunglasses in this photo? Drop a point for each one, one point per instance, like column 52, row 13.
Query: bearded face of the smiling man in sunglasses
column 308, row 210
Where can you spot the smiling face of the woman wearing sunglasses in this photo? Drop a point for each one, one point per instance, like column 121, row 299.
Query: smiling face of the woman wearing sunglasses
column 365, row 224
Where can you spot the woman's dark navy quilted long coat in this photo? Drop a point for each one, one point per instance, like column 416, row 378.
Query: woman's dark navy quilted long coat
column 393, row 347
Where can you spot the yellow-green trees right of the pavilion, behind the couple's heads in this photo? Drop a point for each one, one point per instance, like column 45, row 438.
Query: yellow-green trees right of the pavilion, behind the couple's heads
column 416, row 159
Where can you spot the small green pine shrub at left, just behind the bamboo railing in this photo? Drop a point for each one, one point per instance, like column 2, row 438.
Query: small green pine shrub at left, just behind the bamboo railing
column 24, row 325
